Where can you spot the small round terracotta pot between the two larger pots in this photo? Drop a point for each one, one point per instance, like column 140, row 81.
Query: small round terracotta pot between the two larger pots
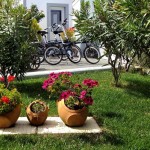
column 37, row 119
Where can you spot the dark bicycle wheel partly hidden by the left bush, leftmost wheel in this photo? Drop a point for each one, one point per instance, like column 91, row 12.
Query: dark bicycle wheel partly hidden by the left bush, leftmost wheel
column 35, row 62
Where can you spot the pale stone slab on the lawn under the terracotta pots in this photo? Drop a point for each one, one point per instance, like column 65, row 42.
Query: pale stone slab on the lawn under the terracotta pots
column 53, row 125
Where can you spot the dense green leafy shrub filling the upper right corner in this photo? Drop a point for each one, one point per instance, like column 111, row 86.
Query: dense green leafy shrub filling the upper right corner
column 136, row 25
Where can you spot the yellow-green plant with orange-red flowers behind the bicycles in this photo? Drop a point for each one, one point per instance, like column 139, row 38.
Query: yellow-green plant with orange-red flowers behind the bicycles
column 70, row 34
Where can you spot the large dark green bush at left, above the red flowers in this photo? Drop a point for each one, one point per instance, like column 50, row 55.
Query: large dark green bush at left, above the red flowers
column 16, row 33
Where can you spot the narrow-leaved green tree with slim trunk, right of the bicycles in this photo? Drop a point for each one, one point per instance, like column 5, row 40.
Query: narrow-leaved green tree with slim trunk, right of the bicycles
column 104, row 26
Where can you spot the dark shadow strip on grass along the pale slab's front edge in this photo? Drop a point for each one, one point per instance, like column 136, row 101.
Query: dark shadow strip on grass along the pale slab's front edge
column 92, row 139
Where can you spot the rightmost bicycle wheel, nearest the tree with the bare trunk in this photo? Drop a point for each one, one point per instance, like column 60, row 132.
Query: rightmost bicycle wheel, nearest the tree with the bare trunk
column 92, row 55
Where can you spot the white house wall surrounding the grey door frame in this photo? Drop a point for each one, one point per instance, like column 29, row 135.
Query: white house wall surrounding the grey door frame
column 42, row 6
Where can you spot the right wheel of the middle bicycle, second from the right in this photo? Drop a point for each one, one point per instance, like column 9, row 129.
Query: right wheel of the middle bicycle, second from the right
column 74, row 54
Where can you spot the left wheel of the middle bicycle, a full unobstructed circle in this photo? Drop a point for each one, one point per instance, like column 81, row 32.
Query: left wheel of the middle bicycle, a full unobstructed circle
column 53, row 55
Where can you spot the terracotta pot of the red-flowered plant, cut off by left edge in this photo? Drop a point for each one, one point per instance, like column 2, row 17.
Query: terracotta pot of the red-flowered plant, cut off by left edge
column 10, row 118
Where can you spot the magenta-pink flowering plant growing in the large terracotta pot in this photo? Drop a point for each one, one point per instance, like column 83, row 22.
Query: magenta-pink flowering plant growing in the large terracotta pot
column 75, row 95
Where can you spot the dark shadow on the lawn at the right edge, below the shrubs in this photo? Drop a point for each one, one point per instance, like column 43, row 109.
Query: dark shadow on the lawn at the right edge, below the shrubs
column 138, row 88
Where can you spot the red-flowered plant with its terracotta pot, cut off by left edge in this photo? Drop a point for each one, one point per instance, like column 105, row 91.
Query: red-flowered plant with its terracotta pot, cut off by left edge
column 10, row 106
